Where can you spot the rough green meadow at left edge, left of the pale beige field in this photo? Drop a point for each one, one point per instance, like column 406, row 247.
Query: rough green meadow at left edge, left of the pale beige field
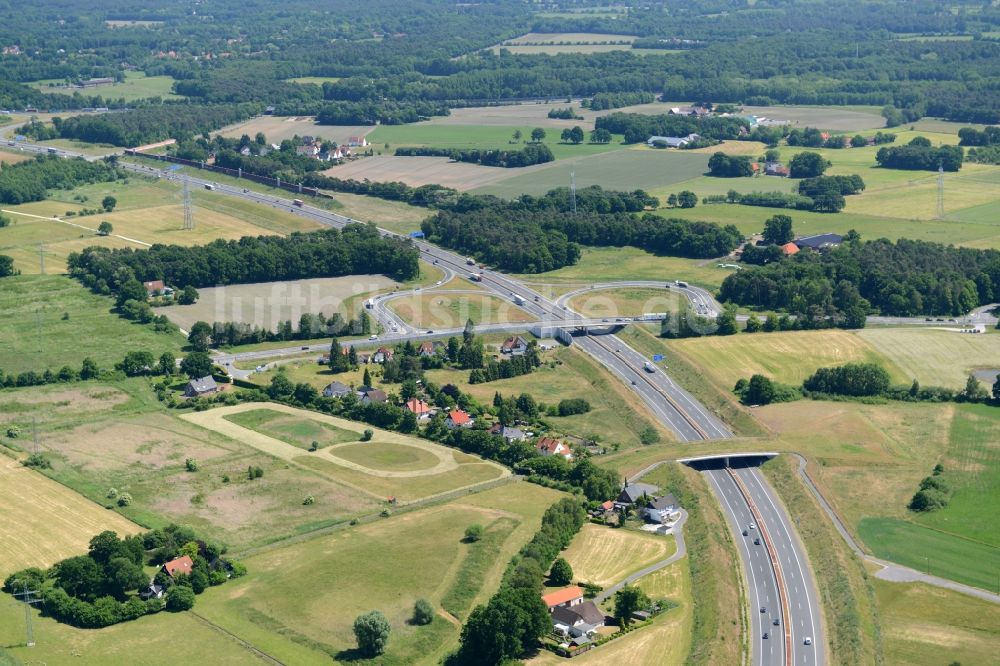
column 42, row 313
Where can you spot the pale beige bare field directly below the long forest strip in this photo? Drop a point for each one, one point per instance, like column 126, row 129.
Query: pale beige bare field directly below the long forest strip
column 267, row 304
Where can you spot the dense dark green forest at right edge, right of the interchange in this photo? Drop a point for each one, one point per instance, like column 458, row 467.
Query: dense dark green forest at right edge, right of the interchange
column 902, row 278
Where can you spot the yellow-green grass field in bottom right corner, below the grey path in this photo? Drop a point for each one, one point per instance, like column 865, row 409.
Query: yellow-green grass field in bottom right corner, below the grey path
column 925, row 626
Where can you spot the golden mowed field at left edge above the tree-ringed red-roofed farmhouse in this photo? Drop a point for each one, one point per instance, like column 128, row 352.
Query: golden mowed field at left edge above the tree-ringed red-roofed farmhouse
column 44, row 521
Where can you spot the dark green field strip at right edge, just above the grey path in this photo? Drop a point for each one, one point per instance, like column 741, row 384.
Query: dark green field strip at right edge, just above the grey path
column 933, row 552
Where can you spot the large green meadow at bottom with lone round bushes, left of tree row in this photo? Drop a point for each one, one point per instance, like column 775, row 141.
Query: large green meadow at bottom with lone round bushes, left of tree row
column 298, row 601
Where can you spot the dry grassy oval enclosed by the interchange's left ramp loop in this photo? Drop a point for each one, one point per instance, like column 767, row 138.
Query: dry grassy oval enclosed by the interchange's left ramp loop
column 451, row 310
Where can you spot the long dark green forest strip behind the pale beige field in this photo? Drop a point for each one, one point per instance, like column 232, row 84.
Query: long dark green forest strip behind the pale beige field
column 358, row 249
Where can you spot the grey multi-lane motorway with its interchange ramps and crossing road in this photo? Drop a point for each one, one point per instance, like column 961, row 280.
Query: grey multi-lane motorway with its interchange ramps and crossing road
column 670, row 403
